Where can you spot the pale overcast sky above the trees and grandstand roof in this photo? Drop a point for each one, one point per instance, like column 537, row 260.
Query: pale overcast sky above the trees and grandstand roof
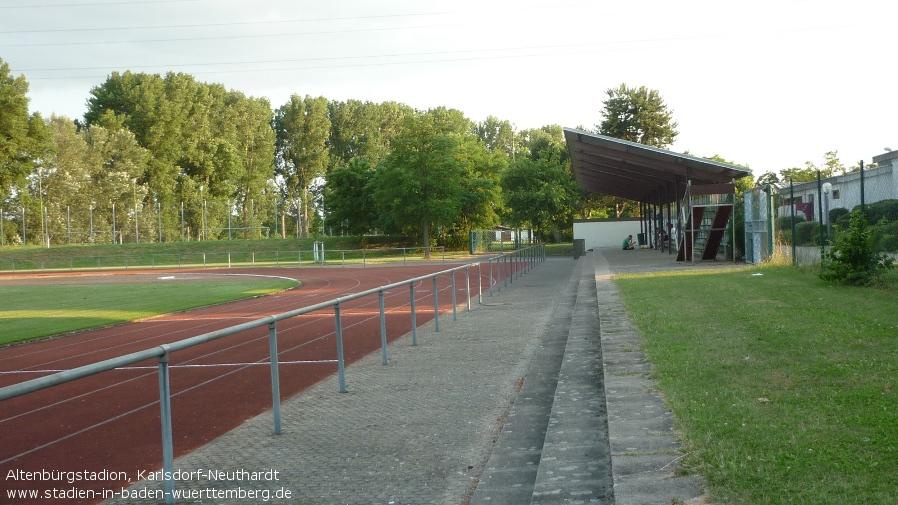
column 770, row 84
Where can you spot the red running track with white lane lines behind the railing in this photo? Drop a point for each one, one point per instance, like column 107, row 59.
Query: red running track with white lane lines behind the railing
column 110, row 421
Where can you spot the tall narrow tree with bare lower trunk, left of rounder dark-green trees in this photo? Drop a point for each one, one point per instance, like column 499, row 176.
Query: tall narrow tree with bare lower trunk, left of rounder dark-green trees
column 302, row 127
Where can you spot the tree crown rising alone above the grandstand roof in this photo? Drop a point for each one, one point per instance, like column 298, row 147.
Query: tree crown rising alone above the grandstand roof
column 638, row 115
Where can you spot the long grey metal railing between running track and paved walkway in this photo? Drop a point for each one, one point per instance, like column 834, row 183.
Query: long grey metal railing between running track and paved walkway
column 513, row 266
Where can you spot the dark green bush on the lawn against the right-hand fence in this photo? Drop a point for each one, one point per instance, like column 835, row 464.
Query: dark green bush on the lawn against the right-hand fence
column 852, row 258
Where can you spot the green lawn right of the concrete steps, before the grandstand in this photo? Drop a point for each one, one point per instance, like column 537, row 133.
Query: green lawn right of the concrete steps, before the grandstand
column 785, row 387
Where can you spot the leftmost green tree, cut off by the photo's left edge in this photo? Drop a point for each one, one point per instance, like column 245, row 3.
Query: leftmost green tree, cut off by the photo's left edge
column 24, row 138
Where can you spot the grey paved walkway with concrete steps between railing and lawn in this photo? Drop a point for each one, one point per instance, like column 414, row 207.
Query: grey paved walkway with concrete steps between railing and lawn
column 539, row 395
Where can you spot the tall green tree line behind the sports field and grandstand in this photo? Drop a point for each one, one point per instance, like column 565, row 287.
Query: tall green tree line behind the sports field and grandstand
column 182, row 159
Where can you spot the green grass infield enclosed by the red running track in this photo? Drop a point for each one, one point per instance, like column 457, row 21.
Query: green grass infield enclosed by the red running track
column 35, row 311
